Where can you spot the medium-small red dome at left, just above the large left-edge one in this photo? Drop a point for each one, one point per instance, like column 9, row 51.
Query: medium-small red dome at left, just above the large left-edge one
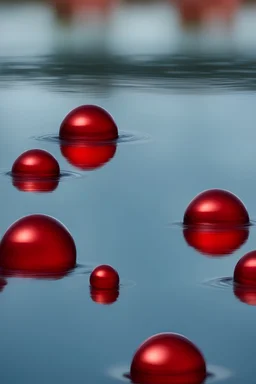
column 35, row 163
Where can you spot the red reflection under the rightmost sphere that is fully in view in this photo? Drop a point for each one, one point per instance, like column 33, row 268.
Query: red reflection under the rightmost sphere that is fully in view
column 215, row 243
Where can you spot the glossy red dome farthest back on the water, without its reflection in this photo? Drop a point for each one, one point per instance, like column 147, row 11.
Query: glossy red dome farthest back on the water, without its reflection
column 88, row 122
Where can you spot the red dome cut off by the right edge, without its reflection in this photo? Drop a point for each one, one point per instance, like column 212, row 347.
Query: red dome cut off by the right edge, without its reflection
column 245, row 270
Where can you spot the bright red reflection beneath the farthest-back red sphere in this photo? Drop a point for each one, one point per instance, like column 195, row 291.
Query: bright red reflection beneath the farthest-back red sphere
column 88, row 157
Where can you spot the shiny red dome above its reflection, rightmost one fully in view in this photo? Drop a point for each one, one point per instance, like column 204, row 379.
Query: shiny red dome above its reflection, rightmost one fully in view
column 216, row 207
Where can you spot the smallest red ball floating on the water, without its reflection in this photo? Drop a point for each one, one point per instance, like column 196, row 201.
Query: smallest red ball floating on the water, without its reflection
column 104, row 277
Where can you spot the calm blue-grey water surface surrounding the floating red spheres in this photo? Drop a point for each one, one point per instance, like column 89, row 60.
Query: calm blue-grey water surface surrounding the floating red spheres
column 198, row 108
